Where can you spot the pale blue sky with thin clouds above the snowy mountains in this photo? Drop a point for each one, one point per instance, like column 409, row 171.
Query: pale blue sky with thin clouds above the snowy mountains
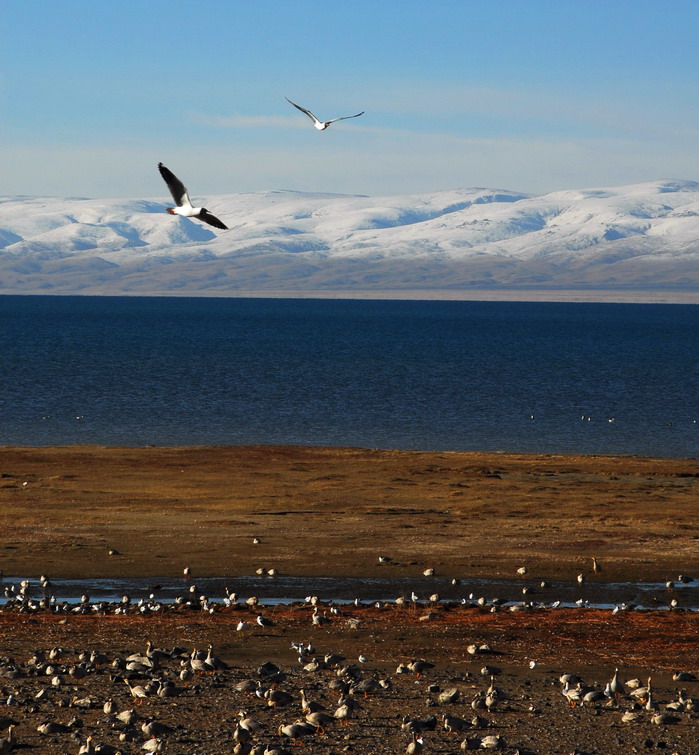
column 529, row 95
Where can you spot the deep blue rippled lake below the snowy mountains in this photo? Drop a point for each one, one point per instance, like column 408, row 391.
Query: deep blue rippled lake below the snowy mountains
column 511, row 376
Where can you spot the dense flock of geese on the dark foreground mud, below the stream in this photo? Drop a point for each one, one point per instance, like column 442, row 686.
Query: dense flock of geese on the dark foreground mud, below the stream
column 143, row 700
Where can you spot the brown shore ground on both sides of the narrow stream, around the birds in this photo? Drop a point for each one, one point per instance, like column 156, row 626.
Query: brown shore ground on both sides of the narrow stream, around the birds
column 319, row 511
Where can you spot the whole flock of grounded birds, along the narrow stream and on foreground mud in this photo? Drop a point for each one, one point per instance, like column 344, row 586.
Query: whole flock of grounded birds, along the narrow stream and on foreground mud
column 100, row 702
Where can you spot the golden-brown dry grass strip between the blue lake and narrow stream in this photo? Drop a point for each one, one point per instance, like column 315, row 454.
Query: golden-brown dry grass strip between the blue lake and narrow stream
column 333, row 511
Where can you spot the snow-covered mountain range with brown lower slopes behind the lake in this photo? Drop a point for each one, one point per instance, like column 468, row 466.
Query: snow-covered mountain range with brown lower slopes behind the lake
column 638, row 236
